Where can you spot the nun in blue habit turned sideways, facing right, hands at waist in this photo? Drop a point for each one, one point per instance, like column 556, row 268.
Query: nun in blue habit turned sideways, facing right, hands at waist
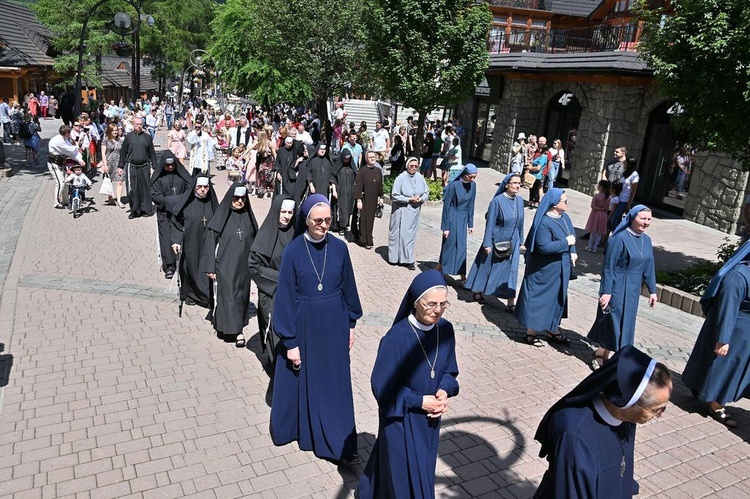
column 550, row 253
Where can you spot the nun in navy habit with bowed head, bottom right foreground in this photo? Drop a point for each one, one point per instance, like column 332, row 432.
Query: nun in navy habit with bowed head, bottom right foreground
column 588, row 436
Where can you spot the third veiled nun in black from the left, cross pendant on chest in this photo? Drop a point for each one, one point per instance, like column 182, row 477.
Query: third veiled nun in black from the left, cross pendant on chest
column 225, row 259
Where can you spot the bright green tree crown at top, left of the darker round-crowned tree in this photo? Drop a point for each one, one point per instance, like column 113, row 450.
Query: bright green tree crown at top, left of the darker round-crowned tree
column 293, row 50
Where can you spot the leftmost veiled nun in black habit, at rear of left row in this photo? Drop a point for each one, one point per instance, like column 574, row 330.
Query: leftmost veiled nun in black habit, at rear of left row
column 170, row 178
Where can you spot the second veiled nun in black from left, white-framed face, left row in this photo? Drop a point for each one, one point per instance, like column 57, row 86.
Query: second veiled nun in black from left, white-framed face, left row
column 191, row 212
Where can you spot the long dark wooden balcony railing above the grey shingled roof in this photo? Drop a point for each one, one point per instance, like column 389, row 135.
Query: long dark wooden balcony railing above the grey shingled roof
column 602, row 38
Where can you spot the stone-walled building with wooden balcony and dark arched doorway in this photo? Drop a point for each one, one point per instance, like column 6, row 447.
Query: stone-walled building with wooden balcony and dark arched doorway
column 569, row 70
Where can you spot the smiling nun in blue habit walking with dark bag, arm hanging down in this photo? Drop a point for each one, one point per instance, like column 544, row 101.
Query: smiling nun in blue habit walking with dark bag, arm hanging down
column 628, row 264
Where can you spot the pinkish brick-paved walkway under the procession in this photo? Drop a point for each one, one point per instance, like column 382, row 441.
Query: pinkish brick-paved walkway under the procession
column 105, row 392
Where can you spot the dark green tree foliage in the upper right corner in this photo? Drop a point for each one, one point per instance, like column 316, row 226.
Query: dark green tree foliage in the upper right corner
column 701, row 57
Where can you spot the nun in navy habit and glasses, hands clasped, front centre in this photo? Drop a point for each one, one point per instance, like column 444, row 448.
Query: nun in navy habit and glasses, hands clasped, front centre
column 414, row 375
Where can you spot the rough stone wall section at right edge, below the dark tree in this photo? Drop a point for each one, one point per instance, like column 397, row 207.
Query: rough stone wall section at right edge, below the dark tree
column 717, row 191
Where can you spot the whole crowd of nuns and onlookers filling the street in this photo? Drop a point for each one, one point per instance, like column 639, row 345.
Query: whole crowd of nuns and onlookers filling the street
column 216, row 248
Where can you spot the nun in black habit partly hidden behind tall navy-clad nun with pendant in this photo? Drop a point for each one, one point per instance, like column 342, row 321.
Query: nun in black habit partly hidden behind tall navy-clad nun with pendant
column 265, row 261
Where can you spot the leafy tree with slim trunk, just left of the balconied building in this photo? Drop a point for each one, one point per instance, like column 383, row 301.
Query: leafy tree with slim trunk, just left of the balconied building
column 428, row 53
